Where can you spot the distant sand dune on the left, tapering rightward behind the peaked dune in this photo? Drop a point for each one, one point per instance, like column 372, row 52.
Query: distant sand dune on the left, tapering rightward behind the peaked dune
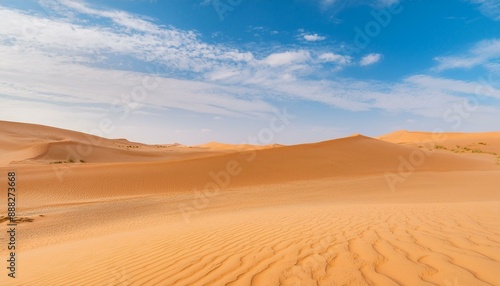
column 35, row 144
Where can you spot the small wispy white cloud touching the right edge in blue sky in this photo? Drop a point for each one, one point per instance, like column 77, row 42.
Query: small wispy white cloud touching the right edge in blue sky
column 480, row 54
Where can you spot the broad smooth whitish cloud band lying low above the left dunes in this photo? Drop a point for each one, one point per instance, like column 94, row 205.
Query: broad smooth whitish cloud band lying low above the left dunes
column 52, row 80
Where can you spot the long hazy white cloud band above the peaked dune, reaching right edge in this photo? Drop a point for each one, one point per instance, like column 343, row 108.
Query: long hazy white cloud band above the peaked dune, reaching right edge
column 422, row 95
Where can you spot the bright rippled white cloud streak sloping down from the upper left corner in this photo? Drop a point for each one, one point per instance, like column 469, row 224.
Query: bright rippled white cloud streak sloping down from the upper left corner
column 132, row 37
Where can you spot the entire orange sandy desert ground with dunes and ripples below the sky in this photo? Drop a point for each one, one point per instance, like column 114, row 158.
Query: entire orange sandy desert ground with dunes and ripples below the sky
column 404, row 209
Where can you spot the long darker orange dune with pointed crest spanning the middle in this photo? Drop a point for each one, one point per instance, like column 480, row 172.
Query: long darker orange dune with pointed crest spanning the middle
column 347, row 157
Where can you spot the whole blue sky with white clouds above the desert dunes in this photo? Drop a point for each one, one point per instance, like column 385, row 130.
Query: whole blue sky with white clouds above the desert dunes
column 194, row 71
